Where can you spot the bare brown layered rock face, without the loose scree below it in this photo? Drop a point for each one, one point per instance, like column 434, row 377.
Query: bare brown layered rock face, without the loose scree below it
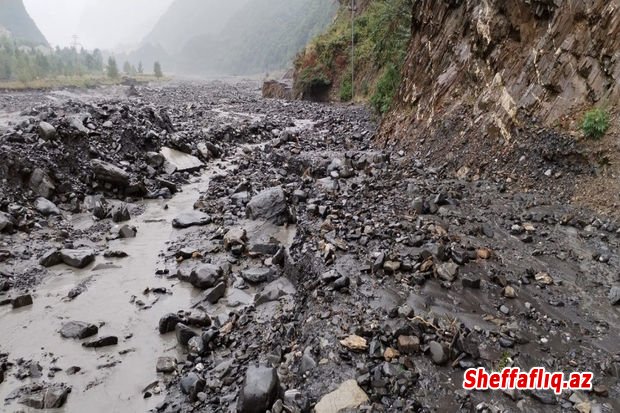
column 501, row 60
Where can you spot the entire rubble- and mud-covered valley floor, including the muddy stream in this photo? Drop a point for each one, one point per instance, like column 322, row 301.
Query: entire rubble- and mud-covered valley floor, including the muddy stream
column 194, row 247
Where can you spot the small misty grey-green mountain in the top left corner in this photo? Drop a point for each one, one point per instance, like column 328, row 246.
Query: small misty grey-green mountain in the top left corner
column 15, row 19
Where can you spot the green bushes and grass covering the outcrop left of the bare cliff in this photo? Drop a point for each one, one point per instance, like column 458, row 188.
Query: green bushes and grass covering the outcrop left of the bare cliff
column 382, row 31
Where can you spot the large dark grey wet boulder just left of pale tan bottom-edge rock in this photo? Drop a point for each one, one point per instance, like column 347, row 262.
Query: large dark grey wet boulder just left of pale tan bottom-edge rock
column 259, row 391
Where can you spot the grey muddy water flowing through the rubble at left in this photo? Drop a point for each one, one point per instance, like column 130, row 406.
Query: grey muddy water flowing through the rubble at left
column 113, row 377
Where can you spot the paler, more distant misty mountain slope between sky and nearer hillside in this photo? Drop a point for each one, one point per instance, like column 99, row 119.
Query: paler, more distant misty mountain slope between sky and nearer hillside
column 186, row 19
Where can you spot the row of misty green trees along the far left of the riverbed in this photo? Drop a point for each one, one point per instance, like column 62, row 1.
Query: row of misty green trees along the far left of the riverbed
column 20, row 62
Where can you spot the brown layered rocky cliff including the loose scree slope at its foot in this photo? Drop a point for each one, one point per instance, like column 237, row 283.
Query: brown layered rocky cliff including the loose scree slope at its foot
column 487, row 84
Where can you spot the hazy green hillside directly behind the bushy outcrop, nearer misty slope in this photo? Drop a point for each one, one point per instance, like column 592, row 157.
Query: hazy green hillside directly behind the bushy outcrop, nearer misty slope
column 265, row 35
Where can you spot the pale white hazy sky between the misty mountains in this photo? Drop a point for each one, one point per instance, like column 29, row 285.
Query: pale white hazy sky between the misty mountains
column 105, row 24
